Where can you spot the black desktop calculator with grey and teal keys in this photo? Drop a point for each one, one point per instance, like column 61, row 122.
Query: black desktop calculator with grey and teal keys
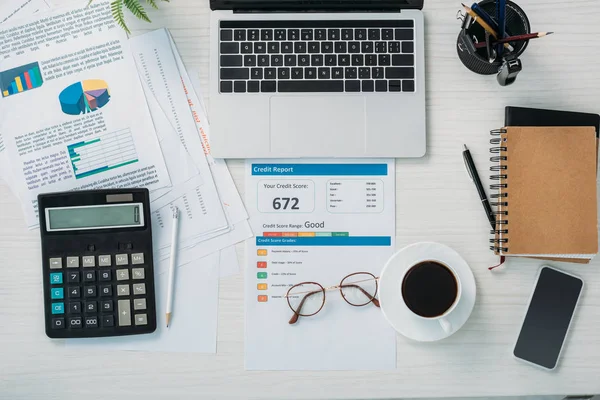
column 97, row 263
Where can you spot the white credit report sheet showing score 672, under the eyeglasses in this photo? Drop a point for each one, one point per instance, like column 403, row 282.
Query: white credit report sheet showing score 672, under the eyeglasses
column 317, row 221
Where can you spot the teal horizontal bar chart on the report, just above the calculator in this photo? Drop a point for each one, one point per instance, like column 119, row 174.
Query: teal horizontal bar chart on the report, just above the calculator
column 109, row 151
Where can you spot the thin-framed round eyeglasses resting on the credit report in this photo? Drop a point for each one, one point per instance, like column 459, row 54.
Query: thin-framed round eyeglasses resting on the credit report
column 308, row 298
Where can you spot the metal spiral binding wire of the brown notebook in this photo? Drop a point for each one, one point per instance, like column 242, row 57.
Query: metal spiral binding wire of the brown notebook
column 498, row 151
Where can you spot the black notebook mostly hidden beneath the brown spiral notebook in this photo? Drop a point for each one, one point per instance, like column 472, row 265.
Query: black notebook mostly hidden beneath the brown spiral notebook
column 520, row 116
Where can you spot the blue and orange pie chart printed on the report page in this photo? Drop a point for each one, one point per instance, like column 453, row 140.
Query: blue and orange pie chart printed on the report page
column 84, row 97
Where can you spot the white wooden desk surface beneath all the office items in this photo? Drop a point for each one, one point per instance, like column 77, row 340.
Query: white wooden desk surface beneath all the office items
column 435, row 202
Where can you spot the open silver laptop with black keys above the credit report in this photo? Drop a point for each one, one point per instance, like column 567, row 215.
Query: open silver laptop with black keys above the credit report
column 322, row 78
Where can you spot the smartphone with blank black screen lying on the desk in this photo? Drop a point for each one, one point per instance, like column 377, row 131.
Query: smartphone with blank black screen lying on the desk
column 549, row 315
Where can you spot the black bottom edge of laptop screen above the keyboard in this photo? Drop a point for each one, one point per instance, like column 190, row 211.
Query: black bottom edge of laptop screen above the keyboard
column 300, row 5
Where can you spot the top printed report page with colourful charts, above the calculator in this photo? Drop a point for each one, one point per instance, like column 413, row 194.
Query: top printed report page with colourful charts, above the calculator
column 72, row 110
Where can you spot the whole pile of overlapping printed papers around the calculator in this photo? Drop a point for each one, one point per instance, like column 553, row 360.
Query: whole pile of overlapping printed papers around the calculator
column 118, row 112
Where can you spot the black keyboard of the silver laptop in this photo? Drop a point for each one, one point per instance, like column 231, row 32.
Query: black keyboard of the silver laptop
column 316, row 56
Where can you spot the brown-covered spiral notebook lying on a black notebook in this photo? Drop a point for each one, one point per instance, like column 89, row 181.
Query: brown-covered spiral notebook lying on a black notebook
column 545, row 193
